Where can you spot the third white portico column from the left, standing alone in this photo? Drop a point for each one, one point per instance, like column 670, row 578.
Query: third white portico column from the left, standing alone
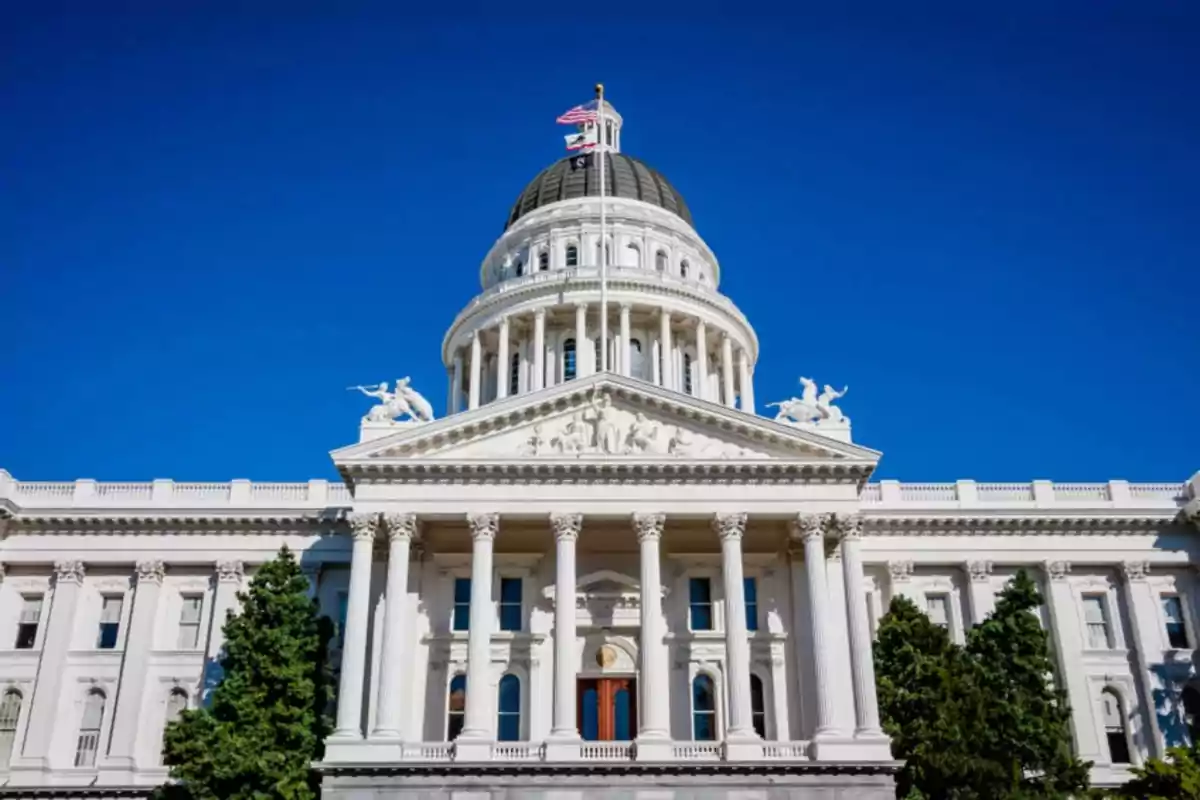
column 477, row 726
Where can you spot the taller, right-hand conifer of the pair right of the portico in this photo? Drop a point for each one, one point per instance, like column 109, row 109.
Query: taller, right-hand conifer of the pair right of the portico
column 1023, row 738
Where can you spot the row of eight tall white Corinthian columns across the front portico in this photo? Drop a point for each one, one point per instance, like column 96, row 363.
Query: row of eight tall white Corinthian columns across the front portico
column 653, row 733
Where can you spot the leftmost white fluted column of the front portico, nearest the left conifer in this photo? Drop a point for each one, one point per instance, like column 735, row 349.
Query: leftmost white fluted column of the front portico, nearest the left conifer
column 355, row 643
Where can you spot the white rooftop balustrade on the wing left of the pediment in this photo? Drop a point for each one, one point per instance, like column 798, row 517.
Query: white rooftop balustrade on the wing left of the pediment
column 167, row 495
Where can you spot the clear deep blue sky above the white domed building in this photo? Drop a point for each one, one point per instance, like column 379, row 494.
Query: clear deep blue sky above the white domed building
column 213, row 221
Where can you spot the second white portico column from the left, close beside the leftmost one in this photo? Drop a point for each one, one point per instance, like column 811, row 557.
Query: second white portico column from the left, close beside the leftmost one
column 401, row 532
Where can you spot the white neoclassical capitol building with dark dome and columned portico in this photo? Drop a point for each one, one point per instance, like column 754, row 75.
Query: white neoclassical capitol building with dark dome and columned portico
column 609, row 570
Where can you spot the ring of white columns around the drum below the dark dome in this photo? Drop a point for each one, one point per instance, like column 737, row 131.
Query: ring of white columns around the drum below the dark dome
column 734, row 371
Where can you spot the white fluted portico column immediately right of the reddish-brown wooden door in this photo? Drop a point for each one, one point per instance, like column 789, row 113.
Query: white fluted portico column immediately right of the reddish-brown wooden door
column 655, row 737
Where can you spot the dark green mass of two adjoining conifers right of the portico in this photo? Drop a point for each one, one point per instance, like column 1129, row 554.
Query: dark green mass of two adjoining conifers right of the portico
column 981, row 721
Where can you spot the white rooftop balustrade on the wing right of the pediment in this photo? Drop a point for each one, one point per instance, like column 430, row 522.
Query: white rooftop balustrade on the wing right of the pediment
column 1035, row 495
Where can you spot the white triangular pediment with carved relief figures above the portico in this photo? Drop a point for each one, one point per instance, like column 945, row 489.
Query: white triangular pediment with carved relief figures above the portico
column 603, row 419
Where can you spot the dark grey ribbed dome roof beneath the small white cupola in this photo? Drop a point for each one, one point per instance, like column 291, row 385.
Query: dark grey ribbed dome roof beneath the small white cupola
column 578, row 177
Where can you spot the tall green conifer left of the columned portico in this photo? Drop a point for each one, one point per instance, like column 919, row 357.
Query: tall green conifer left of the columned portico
column 268, row 719
